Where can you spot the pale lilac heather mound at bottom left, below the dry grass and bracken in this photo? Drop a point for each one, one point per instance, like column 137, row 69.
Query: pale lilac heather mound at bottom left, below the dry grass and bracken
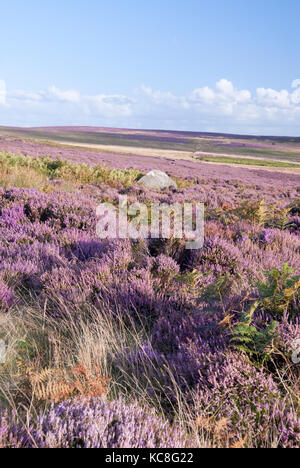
column 93, row 423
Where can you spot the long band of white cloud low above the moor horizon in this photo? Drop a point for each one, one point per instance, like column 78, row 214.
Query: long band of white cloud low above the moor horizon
column 223, row 107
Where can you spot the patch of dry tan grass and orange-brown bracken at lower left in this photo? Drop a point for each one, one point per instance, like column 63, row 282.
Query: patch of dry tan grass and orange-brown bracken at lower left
column 49, row 362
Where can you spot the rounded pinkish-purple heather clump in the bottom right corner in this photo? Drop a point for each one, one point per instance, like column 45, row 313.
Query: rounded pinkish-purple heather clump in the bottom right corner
column 251, row 402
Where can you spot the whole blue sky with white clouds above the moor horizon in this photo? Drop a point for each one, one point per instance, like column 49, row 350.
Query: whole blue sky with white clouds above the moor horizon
column 219, row 65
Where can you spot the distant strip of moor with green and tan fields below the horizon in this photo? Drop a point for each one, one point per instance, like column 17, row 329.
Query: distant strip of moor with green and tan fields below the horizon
column 271, row 148
